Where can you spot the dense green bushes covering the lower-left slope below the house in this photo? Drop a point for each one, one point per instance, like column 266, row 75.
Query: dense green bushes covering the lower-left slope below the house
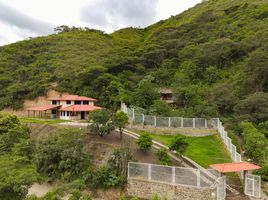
column 60, row 158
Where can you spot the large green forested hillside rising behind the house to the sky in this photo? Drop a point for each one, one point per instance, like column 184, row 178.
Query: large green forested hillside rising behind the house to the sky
column 215, row 56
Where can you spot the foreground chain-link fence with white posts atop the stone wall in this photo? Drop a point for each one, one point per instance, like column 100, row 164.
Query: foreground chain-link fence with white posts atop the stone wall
column 199, row 178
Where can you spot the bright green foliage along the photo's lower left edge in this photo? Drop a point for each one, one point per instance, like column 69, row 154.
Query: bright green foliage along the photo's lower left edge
column 17, row 170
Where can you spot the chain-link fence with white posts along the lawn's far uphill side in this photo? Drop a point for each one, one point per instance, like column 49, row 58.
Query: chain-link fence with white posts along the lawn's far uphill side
column 169, row 122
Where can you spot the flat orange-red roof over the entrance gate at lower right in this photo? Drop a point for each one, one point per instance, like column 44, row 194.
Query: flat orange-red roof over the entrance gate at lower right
column 234, row 167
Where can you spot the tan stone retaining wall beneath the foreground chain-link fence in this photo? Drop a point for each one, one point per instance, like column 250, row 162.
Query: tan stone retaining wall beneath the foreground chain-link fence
column 146, row 189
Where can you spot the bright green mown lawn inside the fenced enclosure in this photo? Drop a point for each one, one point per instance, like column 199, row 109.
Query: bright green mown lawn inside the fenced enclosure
column 203, row 150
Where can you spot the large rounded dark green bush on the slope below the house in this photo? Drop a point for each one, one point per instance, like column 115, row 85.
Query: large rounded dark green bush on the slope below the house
column 62, row 155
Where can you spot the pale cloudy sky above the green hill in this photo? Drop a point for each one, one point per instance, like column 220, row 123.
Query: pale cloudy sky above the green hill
column 22, row 19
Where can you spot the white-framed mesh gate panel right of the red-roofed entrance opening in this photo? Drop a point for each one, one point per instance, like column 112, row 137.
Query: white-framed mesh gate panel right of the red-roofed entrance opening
column 253, row 185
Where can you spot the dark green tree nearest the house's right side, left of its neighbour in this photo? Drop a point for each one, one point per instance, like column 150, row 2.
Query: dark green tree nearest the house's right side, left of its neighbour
column 100, row 122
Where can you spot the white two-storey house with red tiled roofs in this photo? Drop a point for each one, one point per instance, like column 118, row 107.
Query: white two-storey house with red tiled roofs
column 68, row 107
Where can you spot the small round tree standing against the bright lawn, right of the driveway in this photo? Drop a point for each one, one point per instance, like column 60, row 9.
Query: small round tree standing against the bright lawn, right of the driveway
column 178, row 144
